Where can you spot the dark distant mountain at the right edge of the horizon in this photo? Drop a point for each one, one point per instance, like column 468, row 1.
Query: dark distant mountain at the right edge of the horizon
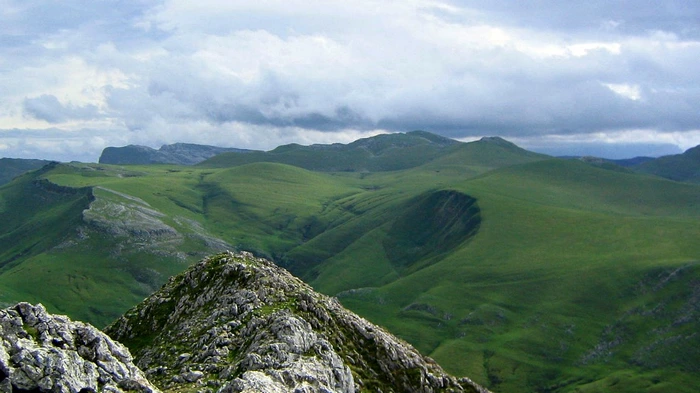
column 679, row 167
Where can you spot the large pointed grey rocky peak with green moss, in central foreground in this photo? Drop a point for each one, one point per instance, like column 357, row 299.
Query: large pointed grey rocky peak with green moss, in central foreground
column 235, row 323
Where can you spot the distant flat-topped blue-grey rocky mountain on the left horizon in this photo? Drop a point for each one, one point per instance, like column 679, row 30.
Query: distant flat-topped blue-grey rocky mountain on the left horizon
column 176, row 154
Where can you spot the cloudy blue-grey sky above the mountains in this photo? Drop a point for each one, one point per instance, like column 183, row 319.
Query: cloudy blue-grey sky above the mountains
column 608, row 78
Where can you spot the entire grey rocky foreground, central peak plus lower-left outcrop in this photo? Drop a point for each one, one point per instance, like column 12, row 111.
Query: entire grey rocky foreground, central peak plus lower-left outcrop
column 231, row 323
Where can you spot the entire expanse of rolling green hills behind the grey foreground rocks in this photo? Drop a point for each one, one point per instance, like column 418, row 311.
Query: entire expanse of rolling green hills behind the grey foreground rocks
column 523, row 272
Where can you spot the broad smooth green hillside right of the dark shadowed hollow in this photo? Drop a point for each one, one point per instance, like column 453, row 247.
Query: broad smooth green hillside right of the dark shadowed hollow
column 576, row 273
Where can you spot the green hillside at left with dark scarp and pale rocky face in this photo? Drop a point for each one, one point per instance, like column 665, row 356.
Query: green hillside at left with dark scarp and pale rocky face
column 87, row 250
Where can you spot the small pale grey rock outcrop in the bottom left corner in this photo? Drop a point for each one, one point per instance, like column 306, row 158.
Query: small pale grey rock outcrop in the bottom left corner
column 50, row 353
